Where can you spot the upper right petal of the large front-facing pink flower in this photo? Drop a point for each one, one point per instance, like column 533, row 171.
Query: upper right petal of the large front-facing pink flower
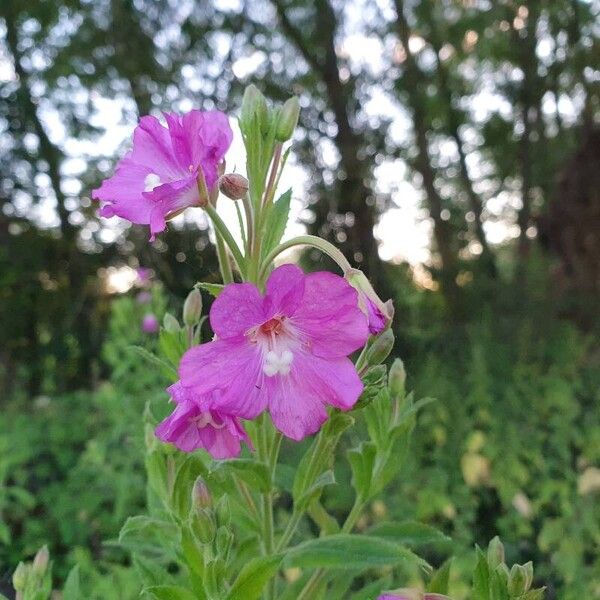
column 330, row 317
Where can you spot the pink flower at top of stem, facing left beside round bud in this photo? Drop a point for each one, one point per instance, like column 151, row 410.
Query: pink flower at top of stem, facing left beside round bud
column 158, row 177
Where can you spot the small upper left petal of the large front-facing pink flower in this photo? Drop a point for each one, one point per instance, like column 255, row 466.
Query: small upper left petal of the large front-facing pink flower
column 237, row 308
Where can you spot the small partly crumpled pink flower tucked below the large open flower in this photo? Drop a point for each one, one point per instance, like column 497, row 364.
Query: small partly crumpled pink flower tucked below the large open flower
column 195, row 424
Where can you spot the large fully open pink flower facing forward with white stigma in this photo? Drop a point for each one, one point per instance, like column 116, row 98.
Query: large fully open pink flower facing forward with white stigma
column 286, row 351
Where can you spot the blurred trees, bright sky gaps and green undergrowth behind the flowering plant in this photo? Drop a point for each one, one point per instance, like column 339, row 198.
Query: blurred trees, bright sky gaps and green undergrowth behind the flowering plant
column 450, row 147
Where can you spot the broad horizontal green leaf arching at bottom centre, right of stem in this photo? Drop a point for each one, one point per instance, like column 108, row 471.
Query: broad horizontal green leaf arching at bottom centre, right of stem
column 347, row 551
